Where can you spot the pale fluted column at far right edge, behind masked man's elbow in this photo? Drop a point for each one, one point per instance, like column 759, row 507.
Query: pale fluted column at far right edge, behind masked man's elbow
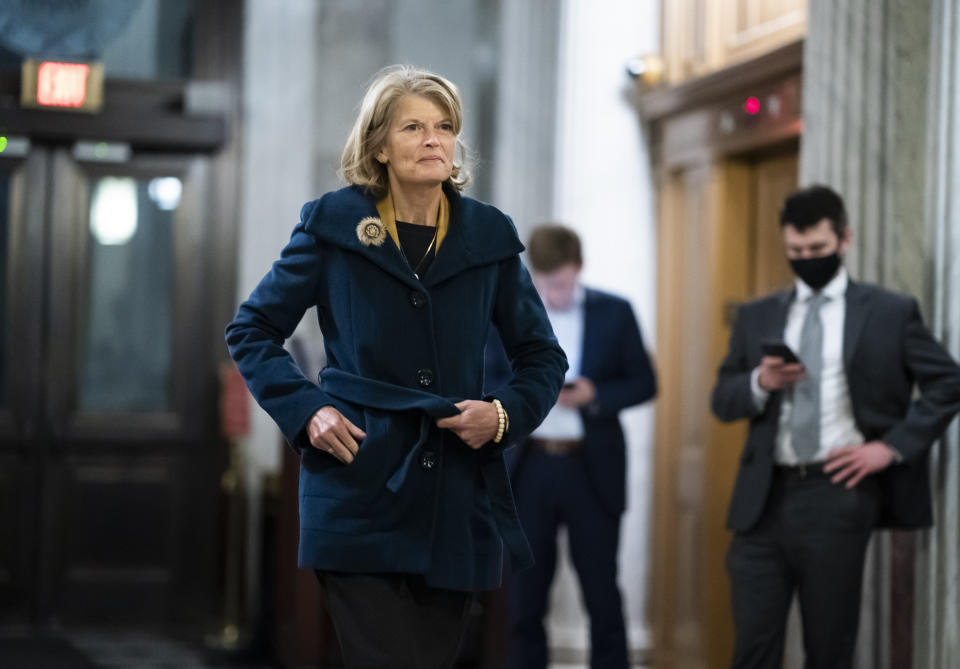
column 937, row 620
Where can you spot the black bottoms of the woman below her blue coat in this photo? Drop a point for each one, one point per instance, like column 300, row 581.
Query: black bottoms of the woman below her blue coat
column 394, row 620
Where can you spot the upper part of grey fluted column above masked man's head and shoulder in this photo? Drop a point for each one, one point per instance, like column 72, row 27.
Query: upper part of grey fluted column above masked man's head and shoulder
column 865, row 75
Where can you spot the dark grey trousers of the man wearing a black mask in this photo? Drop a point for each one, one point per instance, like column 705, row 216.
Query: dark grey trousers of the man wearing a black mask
column 810, row 541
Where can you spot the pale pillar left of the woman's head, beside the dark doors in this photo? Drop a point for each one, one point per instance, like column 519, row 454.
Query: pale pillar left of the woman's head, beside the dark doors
column 275, row 178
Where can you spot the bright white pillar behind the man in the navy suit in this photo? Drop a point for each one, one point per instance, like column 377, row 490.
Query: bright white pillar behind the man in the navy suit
column 603, row 189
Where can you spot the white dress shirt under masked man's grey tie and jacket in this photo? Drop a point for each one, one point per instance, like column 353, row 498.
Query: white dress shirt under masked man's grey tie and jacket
column 837, row 425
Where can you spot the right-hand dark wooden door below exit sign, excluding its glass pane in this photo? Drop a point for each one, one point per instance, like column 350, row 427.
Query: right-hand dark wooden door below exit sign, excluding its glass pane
column 172, row 451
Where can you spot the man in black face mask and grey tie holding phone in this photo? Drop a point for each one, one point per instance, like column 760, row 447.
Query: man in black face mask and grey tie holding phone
column 838, row 442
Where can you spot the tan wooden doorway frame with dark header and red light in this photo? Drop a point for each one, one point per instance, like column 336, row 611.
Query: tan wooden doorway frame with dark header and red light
column 700, row 126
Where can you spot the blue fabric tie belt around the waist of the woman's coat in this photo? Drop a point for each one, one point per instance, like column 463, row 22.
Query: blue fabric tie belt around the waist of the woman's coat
column 390, row 397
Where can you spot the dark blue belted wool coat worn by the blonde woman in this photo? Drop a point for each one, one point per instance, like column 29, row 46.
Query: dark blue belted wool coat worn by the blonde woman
column 400, row 353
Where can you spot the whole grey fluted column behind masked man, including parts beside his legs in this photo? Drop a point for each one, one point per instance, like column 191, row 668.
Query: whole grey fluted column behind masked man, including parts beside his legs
column 865, row 125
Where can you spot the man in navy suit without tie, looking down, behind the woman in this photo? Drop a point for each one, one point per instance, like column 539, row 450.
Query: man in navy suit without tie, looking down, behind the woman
column 571, row 470
